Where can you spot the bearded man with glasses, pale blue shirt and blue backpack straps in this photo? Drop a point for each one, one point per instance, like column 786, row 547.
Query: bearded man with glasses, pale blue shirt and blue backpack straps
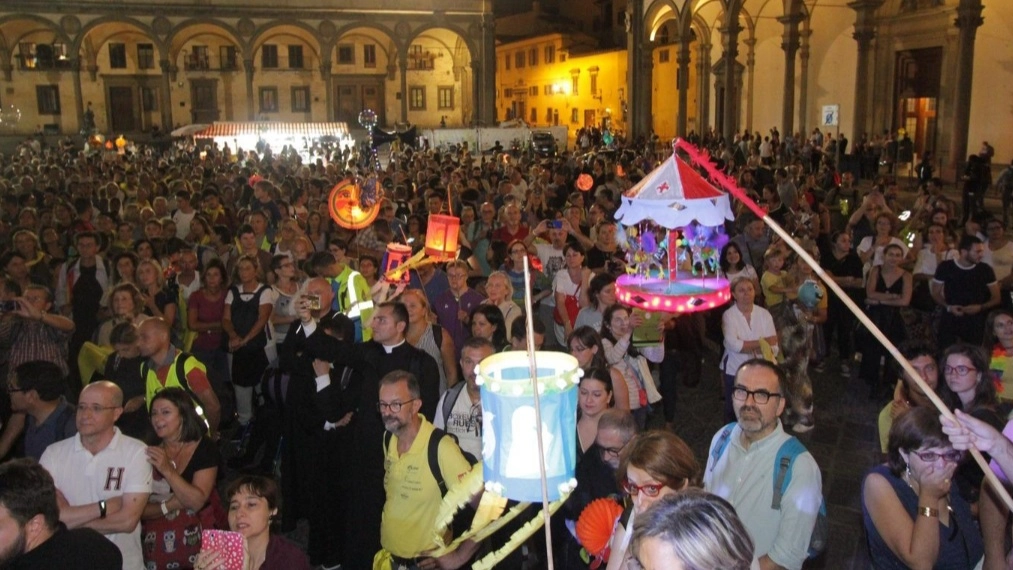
column 741, row 463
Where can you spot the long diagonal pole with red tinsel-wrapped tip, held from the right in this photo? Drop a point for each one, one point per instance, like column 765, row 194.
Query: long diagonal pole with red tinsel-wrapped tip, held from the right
column 727, row 183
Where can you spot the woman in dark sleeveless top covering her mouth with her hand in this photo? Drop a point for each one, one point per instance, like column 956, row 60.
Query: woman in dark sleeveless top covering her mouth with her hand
column 913, row 514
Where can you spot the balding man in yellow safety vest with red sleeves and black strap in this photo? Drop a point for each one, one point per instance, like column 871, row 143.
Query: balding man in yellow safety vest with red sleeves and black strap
column 167, row 367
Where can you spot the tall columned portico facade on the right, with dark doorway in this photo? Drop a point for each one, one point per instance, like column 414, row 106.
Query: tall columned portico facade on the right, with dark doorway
column 939, row 69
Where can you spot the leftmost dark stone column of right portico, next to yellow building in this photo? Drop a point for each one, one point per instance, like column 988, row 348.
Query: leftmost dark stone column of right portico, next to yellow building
column 640, row 65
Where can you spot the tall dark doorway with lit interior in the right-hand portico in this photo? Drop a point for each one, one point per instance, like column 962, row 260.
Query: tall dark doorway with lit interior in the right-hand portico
column 919, row 74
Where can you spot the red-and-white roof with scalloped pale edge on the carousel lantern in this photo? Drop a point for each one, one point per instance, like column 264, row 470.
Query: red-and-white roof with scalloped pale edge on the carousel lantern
column 673, row 196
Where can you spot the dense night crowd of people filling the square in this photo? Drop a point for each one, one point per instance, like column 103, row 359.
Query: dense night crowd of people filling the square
column 191, row 344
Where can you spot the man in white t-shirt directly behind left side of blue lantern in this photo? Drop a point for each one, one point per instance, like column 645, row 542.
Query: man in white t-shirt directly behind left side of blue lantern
column 460, row 410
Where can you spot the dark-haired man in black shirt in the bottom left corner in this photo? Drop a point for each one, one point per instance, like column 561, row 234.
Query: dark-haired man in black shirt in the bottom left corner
column 32, row 535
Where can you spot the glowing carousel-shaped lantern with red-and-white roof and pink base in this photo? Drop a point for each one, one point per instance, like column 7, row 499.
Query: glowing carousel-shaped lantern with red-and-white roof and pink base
column 672, row 228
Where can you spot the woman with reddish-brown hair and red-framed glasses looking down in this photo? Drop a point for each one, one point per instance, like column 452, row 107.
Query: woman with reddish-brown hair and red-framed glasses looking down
column 654, row 465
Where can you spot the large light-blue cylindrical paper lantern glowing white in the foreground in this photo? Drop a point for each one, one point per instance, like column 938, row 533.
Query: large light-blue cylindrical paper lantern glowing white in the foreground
column 510, row 445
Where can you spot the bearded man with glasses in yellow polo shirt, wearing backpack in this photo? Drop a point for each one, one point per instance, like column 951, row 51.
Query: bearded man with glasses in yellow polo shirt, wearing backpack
column 414, row 496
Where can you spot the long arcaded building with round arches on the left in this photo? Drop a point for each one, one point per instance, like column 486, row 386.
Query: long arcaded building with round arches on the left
column 133, row 64
